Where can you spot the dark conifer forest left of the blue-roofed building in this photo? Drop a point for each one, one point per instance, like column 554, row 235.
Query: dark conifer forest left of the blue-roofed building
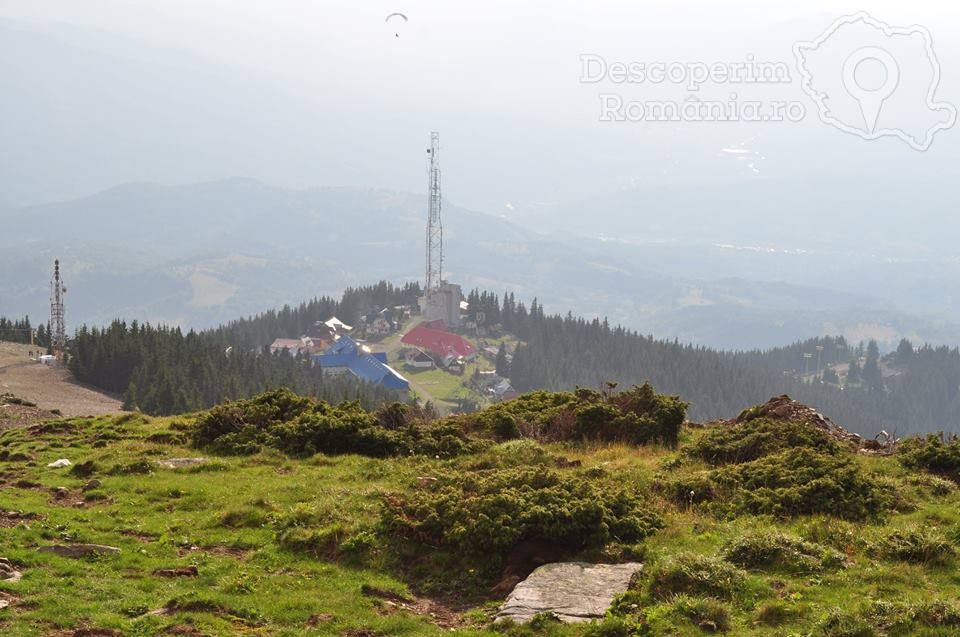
column 161, row 370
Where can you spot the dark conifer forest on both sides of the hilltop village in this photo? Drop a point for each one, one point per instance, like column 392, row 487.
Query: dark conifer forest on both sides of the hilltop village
column 161, row 370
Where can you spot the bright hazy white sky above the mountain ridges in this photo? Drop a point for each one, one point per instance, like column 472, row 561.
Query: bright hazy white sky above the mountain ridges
column 500, row 79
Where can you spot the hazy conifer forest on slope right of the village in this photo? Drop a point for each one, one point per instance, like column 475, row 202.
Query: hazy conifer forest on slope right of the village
column 564, row 352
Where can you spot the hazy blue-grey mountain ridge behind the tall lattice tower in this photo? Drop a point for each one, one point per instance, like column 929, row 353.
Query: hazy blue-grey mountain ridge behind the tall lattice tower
column 205, row 253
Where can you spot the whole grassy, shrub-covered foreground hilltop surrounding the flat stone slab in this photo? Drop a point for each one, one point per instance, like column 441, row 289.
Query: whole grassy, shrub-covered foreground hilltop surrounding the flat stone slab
column 284, row 515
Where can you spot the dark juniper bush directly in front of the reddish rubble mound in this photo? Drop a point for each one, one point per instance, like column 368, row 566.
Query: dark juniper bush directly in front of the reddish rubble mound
column 753, row 439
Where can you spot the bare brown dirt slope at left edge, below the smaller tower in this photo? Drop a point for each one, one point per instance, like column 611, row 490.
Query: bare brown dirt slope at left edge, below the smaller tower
column 50, row 387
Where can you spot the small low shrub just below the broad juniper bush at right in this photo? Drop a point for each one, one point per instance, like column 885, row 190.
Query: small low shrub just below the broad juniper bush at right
column 771, row 550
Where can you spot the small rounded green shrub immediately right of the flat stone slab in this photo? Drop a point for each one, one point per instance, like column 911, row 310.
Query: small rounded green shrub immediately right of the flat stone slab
column 697, row 575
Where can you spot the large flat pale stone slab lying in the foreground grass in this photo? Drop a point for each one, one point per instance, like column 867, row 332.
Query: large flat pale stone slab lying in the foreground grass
column 573, row 591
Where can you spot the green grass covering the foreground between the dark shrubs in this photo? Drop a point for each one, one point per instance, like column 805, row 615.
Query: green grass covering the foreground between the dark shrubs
column 285, row 546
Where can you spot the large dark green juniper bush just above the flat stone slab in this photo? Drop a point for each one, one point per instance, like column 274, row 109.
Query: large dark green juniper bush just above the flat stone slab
column 486, row 513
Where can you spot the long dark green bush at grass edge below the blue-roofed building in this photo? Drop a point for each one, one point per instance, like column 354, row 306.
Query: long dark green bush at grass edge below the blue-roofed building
column 301, row 426
